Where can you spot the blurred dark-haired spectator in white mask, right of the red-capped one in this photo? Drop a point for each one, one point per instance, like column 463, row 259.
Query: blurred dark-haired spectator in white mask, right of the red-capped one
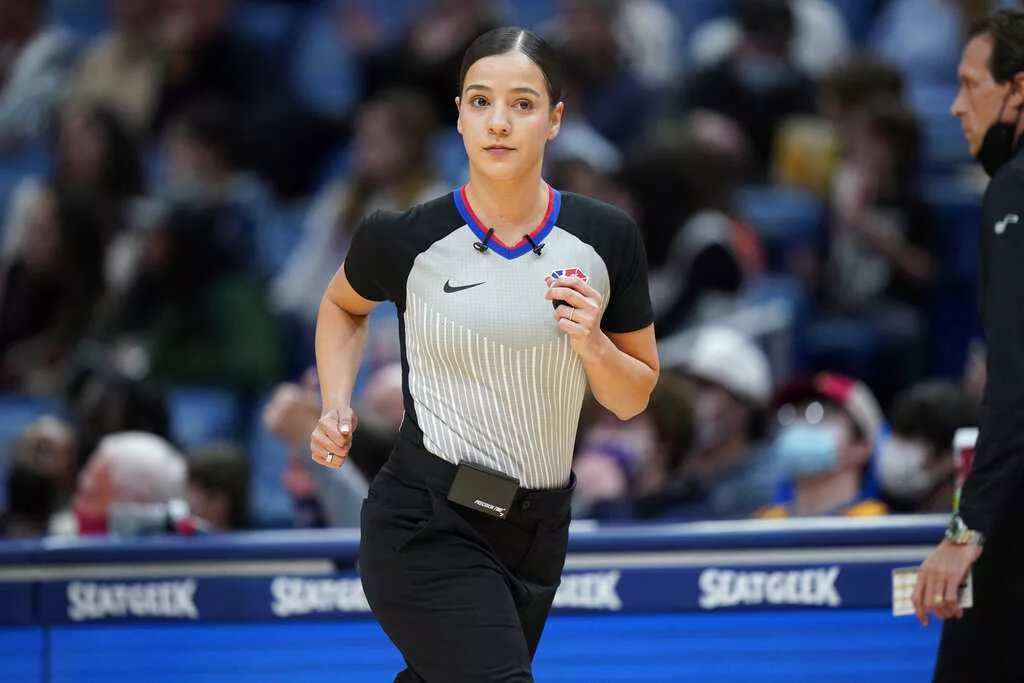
column 915, row 467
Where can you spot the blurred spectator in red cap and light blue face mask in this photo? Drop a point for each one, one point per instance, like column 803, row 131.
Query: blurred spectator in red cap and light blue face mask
column 829, row 428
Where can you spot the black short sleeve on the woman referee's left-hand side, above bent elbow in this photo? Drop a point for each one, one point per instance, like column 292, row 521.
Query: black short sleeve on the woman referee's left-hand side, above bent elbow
column 368, row 264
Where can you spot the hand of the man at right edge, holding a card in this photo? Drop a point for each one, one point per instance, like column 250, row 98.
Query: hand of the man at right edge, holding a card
column 940, row 581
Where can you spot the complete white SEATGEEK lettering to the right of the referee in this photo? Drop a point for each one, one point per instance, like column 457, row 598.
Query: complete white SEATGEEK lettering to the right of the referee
column 724, row 588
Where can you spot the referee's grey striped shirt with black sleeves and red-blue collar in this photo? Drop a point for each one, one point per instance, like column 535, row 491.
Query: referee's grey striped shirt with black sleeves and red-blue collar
column 490, row 379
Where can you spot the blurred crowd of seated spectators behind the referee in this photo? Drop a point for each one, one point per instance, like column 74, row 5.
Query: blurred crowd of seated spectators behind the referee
column 180, row 180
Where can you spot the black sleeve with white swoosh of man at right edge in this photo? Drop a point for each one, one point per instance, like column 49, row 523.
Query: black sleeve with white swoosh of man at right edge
column 998, row 475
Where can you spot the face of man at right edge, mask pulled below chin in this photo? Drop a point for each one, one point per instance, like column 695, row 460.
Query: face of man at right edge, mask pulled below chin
column 980, row 99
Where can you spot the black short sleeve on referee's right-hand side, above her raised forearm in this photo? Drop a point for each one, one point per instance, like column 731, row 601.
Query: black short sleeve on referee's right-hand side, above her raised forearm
column 629, row 307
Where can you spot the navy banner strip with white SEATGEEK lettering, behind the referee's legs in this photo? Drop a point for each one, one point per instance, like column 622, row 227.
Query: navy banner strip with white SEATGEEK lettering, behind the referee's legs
column 633, row 590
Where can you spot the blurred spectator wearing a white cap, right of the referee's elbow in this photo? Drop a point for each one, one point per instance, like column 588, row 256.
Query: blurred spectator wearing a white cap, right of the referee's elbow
column 728, row 473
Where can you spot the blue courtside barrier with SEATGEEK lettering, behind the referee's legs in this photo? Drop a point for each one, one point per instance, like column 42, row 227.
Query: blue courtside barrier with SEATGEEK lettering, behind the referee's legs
column 774, row 602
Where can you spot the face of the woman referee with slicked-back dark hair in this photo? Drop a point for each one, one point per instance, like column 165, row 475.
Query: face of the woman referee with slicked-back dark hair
column 506, row 117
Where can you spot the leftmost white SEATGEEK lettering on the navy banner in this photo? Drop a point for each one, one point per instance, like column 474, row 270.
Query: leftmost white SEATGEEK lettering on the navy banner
column 168, row 600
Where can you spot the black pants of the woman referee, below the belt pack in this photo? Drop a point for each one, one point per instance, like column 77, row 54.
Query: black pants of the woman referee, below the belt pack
column 463, row 596
